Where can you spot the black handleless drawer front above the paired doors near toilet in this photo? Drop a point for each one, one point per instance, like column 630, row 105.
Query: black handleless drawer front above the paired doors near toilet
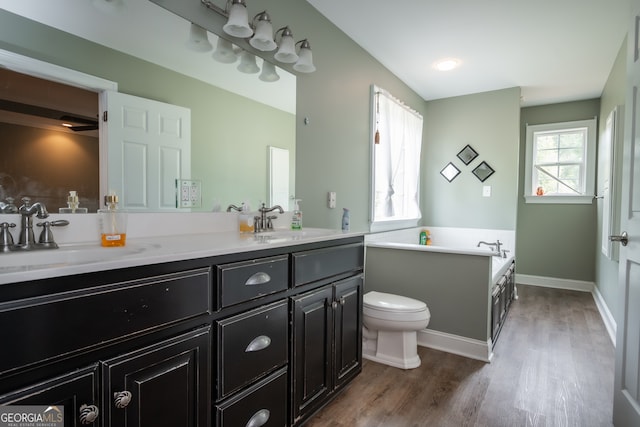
column 313, row 265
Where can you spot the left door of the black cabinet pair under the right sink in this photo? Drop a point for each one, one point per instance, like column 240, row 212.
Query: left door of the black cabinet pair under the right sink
column 311, row 356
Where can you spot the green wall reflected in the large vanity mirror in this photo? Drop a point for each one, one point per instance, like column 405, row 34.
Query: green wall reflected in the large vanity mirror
column 230, row 133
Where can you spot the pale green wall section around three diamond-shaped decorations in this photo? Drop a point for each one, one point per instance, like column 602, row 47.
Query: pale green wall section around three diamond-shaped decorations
column 489, row 123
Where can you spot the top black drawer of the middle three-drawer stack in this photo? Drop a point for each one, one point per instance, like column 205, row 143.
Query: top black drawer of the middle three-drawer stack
column 243, row 281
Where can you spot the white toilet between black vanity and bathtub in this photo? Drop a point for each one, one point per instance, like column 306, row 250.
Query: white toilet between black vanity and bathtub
column 390, row 325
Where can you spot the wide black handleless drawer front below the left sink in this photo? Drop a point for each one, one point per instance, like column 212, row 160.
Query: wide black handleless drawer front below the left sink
column 52, row 325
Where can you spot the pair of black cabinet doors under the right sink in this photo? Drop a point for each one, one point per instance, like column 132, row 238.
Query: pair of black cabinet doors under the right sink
column 326, row 343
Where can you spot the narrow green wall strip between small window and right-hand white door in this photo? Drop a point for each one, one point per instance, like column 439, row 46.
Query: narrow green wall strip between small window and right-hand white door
column 613, row 95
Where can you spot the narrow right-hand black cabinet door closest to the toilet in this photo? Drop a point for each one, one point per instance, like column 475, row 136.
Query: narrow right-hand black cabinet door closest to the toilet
column 348, row 329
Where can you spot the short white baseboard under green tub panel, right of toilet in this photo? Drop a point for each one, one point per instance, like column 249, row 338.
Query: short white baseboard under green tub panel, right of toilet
column 462, row 346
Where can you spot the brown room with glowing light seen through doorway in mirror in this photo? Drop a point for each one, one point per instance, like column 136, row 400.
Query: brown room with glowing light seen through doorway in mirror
column 49, row 141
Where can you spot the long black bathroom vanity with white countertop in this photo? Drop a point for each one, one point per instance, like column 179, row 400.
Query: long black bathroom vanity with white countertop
column 204, row 330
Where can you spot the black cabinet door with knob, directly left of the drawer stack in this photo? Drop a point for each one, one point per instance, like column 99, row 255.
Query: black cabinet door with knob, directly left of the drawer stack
column 164, row 385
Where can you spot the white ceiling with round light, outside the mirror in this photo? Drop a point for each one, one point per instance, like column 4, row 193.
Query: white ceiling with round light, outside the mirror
column 555, row 50
